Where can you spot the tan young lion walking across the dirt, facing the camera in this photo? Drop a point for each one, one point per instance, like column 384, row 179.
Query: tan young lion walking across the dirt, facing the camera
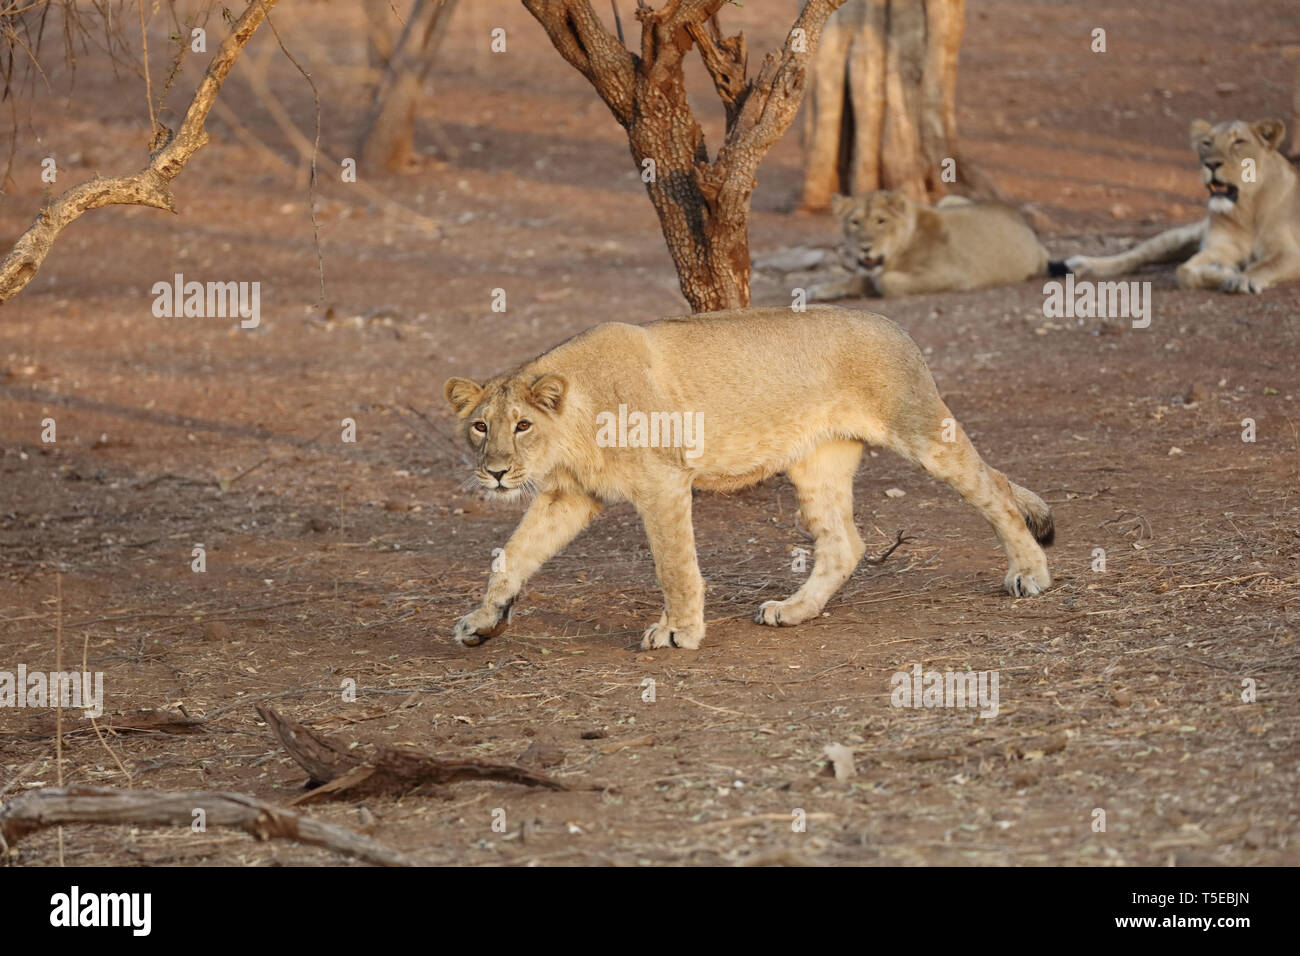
column 738, row 396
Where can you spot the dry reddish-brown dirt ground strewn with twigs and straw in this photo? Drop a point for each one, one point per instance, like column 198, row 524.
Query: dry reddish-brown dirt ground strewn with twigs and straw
column 1121, row 690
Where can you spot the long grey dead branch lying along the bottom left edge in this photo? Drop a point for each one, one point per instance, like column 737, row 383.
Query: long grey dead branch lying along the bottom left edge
column 64, row 806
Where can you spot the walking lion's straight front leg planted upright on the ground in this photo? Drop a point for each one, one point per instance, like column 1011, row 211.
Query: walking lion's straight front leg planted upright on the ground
column 666, row 514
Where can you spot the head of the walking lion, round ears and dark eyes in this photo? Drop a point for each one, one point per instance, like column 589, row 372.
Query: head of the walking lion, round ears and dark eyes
column 512, row 425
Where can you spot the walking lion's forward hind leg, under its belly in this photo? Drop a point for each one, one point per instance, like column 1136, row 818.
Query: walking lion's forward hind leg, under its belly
column 825, row 485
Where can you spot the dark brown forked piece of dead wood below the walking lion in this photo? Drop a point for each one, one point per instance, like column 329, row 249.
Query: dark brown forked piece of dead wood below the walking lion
column 333, row 769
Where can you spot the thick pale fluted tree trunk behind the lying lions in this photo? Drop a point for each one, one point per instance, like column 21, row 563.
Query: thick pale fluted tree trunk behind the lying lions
column 883, row 105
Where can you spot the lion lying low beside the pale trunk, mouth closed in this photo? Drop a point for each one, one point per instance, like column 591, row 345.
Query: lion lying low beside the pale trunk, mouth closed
column 902, row 248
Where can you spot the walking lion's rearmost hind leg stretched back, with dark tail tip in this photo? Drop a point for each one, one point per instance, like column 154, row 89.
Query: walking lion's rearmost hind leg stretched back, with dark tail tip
column 1020, row 517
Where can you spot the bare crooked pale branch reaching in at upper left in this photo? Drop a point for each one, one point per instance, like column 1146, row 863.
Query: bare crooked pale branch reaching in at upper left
column 151, row 187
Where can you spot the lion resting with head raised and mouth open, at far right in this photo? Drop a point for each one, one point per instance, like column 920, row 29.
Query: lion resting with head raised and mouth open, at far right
column 1250, row 240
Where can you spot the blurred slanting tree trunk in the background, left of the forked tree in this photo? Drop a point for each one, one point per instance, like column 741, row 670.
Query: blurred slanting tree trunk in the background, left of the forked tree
column 388, row 141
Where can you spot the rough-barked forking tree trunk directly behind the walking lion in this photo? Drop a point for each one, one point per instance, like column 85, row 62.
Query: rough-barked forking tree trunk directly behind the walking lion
column 703, row 204
